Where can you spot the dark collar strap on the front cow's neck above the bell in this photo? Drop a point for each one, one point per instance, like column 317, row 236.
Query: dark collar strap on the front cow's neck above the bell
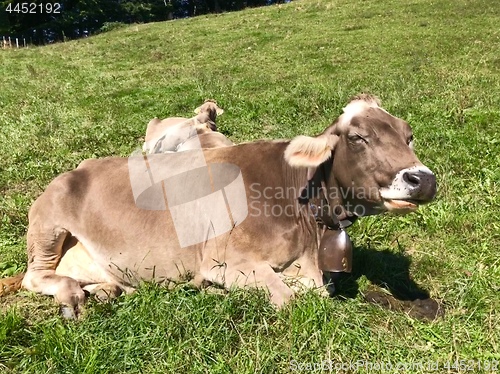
column 326, row 217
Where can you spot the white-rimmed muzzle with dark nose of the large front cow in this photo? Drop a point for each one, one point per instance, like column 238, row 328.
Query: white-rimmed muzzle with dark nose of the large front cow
column 410, row 188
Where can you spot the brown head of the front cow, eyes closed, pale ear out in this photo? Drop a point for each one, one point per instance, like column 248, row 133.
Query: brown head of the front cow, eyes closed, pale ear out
column 367, row 159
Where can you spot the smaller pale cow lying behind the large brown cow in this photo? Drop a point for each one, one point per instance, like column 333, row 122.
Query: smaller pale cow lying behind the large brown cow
column 179, row 134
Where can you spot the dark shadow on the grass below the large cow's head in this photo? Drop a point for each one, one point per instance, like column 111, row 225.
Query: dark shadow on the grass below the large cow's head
column 389, row 271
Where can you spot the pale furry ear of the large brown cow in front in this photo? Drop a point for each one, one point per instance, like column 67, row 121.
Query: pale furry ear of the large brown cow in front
column 306, row 151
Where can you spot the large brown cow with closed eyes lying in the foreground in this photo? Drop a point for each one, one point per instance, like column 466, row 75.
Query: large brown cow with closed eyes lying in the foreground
column 234, row 215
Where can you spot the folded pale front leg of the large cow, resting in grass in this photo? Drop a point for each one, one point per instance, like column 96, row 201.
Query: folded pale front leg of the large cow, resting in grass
column 243, row 273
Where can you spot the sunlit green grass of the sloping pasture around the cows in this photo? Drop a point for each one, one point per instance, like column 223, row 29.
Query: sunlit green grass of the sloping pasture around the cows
column 278, row 72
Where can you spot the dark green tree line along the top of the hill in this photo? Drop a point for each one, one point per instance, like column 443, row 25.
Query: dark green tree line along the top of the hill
column 41, row 22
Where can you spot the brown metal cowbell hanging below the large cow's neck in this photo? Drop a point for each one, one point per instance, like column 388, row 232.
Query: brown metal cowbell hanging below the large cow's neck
column 335, row 252
